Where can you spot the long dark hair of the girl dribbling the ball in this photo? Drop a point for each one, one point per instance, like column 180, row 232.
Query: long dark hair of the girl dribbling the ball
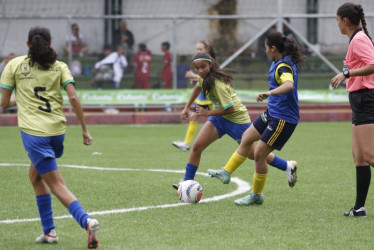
column 225, row 75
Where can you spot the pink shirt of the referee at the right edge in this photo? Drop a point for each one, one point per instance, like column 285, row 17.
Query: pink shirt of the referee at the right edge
column 360, row 53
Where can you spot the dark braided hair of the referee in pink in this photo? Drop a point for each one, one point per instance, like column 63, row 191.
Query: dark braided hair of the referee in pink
column 355, row 14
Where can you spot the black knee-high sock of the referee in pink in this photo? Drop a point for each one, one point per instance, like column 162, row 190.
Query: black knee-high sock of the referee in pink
column 363, row 177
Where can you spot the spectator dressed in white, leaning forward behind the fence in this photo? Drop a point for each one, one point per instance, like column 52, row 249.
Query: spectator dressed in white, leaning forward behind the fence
column 118, row 62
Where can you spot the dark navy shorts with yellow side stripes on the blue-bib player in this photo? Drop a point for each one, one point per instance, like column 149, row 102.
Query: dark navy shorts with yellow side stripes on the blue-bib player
column 274, row 132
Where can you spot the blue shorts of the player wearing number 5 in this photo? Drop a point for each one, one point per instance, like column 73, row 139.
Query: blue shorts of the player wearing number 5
column 39, row 148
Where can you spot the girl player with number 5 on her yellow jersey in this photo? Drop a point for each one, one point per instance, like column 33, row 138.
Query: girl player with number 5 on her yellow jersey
column 36, row 79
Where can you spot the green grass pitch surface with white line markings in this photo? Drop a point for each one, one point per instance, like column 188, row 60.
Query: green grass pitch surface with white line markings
column 308, row 216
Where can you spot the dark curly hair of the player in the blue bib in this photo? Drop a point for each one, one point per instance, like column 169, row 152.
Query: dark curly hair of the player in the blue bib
column 287, row 46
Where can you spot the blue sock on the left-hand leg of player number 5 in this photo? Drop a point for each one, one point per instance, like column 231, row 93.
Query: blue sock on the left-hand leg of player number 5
column 44, row 203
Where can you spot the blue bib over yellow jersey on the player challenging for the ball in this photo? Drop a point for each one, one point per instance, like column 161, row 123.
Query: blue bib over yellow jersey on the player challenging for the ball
column 284, row 106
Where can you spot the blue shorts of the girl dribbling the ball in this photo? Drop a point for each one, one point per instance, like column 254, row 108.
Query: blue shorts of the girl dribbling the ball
column 224, row 126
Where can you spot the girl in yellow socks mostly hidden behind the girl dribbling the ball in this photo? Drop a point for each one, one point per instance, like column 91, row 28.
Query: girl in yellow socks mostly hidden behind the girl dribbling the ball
column 201, row 100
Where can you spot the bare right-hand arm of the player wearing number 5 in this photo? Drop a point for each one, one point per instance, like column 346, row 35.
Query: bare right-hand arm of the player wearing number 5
column 77, row 108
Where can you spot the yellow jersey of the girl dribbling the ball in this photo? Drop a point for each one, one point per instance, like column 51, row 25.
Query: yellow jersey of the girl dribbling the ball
column 223, row 96
